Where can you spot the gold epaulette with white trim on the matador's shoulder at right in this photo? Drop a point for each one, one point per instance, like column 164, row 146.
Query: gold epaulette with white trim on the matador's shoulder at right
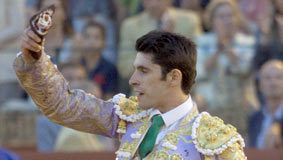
column 212, row 137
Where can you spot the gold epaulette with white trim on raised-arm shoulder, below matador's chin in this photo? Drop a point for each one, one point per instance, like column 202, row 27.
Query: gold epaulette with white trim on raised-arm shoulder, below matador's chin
column 128, row 110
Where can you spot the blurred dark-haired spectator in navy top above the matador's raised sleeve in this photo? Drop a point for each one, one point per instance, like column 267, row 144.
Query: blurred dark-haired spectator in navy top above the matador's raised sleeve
column 90, row 46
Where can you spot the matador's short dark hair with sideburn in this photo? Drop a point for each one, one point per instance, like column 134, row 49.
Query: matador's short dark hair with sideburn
column 171, row 51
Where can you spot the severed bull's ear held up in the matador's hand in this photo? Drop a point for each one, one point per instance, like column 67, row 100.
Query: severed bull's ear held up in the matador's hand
column 40, row 23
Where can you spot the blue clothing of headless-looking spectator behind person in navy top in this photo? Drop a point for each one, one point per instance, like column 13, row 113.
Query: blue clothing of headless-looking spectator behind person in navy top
column 80, row 12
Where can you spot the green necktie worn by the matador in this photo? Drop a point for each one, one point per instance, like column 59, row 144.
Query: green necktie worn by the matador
column 149, row 140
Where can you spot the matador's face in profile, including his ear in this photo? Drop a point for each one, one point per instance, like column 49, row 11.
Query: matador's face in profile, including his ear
column 147, row 82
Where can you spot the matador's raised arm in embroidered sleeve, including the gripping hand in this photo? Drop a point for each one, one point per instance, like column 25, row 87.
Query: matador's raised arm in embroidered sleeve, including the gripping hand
column 51, row 93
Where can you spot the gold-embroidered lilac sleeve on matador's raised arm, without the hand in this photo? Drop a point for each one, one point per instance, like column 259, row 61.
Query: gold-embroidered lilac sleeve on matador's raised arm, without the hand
column 51, row 93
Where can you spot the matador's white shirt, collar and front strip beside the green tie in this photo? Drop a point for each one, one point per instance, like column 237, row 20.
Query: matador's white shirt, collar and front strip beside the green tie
column 172, row 117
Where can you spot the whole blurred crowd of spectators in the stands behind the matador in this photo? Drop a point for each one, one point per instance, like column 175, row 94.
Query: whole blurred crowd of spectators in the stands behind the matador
column 239, row 68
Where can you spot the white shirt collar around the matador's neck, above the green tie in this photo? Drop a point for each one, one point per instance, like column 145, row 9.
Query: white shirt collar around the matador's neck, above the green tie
column 175, row 114
